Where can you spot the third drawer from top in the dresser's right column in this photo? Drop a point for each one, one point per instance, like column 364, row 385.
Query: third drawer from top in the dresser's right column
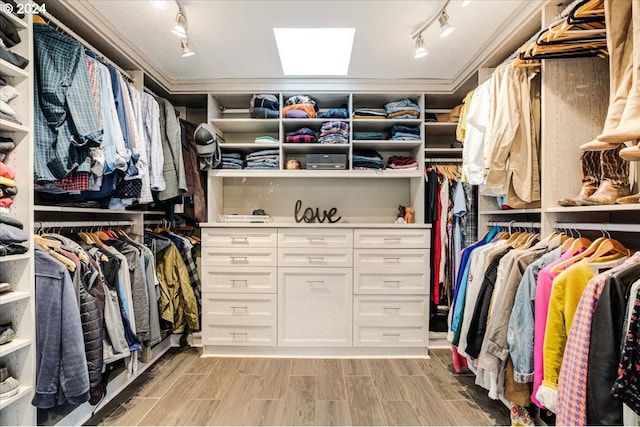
column 408, row 280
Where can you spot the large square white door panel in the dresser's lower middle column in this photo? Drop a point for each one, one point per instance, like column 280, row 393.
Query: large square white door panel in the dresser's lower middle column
column 314, row 307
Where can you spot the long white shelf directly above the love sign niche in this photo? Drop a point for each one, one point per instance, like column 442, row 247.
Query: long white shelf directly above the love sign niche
column 303, row 173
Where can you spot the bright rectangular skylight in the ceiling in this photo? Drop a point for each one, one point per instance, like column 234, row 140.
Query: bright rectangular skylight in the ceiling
column 314, row 51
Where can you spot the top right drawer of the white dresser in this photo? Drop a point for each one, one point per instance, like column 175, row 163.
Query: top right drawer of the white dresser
column 391, row 238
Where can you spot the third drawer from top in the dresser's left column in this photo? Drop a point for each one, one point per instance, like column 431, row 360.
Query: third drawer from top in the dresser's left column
column 241, row 280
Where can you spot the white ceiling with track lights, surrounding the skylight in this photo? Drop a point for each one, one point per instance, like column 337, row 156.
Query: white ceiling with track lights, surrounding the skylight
column 234, row 39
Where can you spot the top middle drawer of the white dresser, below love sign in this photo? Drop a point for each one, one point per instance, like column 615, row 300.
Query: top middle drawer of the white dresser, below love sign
column 318, row 238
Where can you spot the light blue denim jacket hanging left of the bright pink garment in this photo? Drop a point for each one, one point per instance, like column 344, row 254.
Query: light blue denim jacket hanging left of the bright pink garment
column 520, row 332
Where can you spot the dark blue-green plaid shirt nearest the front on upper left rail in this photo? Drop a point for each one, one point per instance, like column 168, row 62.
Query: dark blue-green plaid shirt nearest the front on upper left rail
column 66, row 121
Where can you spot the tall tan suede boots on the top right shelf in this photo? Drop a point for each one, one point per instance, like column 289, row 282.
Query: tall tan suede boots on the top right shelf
column 622, row 122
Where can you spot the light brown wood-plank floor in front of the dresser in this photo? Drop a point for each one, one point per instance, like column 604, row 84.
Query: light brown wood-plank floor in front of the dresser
column 184, row 389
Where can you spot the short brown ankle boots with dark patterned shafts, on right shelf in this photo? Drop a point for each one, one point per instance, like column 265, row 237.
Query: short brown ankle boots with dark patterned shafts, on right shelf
column 605, row 179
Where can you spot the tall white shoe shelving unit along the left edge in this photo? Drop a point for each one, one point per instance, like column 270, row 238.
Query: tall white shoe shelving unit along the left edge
column 17, row 305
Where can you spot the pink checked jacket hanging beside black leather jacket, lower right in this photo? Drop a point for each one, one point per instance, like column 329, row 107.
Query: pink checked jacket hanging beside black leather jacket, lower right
column 572, row 383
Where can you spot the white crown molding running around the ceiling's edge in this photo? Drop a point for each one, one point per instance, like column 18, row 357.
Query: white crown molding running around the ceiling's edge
column 108, row 39
